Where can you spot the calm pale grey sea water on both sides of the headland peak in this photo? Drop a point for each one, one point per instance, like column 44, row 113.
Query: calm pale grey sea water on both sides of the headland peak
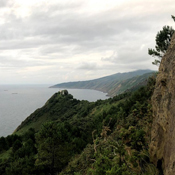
column 18, row 101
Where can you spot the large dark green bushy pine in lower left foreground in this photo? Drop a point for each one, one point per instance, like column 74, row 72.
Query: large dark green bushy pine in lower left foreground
column 52, row 151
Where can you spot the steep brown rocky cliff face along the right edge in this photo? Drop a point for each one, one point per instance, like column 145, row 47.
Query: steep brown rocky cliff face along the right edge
column 162, row 147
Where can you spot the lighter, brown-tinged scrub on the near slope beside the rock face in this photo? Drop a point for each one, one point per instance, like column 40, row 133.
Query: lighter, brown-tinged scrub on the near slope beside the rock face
column 125, row 150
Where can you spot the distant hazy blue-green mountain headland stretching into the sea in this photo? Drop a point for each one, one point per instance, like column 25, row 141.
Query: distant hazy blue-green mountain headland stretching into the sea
column 113, row 84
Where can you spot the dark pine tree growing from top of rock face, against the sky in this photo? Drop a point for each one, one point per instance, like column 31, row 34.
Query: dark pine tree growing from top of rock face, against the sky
column 163, row 39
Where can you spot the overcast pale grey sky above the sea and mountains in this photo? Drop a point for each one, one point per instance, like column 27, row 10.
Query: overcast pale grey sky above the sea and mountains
column 54, row 41
